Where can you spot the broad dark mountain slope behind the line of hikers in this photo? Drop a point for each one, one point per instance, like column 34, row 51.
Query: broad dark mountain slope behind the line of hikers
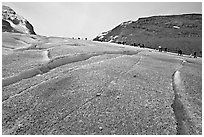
column 173, row 31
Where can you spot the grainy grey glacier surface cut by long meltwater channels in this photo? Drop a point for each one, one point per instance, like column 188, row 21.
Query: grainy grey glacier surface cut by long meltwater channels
column 65, row 86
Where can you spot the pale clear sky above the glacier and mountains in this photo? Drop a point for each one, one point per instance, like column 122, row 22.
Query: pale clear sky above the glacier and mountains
column 88, row 19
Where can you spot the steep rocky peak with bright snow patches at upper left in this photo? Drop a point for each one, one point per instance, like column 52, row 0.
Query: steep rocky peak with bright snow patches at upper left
column 12, row 22
